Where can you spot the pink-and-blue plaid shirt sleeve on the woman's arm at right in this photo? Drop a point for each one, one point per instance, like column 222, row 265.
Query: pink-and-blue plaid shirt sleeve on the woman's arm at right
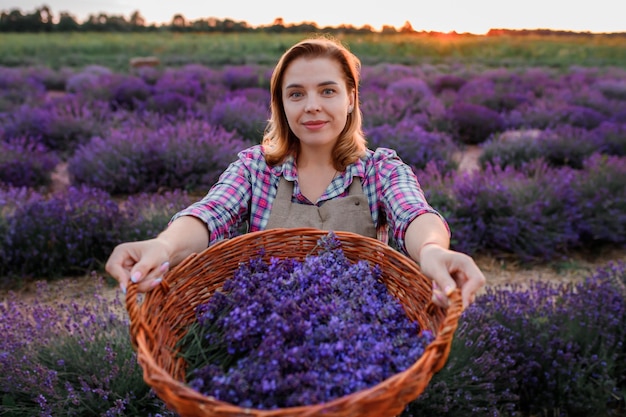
column 400, row 194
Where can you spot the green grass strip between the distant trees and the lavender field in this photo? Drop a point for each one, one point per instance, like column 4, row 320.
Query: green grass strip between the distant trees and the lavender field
column 114, row 50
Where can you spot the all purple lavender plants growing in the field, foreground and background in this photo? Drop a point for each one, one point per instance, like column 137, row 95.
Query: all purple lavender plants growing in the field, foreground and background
column 135, row 146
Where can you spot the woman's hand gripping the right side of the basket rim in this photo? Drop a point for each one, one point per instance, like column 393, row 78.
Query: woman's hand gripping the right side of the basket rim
column 448, row 270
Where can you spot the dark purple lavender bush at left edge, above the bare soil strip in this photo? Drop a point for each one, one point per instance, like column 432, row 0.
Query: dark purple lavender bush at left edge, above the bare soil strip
column 67, row 233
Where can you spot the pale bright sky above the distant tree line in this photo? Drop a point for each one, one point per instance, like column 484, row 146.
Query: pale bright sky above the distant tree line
column 462, row 16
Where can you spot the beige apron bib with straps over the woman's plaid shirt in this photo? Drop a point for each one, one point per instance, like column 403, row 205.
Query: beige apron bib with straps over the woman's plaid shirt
column 349, row 214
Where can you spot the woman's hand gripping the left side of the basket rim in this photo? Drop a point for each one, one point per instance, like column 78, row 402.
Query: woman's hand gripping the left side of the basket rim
column 143, row 263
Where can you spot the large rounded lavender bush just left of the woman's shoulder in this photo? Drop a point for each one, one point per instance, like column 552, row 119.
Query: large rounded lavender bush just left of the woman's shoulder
column 187, row 154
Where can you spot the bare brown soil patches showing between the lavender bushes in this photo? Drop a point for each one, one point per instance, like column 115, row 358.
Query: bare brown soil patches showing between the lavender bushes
column 497, row 271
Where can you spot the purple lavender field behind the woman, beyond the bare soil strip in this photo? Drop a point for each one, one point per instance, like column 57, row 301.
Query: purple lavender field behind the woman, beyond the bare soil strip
column 549, row 179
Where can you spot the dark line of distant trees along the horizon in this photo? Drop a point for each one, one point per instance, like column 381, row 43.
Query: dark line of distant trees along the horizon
column 43, row 20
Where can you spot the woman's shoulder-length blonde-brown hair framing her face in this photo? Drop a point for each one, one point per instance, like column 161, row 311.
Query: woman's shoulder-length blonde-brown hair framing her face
column 279, row 141
